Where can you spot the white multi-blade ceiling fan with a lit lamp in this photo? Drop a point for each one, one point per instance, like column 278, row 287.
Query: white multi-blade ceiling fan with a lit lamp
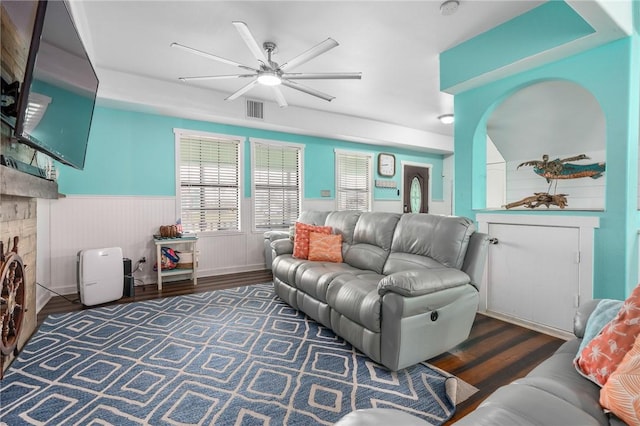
column 269, row 73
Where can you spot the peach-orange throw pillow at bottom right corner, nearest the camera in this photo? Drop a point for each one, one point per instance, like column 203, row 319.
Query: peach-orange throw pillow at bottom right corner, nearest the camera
column 621, row 393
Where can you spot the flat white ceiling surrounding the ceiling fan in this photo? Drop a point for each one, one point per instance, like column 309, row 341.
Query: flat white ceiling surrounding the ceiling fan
column 395, row 44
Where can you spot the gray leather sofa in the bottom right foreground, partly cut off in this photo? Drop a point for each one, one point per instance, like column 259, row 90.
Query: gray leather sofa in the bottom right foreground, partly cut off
column 553, row 393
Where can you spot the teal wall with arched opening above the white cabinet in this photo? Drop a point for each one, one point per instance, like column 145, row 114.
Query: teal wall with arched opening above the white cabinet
column 611, row 74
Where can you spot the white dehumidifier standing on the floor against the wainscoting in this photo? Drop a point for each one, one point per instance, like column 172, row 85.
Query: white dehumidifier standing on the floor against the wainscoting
column 100, row 275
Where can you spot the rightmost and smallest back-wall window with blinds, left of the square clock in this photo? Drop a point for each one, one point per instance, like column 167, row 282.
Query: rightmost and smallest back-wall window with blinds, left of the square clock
column 353, row 181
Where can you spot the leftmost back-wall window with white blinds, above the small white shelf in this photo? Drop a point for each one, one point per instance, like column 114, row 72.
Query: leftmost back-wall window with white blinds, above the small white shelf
column 209, row 182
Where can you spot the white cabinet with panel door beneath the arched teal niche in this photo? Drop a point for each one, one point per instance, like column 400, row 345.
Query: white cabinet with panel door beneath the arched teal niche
column 540, row 268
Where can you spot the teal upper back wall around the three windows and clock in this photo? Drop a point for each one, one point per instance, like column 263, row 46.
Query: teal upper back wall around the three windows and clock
column 132, row 153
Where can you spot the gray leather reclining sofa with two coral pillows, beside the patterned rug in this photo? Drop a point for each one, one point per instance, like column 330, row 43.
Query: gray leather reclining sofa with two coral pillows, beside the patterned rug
column 405, row 291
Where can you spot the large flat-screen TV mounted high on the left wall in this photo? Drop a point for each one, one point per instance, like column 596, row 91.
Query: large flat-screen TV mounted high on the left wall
column 57, row 95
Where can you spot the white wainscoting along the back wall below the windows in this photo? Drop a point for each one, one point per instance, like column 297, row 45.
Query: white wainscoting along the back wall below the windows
column 74, row 223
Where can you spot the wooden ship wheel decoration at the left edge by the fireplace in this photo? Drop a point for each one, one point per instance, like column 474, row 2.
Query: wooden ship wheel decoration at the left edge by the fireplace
column 12, row 298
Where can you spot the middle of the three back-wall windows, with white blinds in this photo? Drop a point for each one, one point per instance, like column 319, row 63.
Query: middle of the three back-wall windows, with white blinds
column 277, row 185
